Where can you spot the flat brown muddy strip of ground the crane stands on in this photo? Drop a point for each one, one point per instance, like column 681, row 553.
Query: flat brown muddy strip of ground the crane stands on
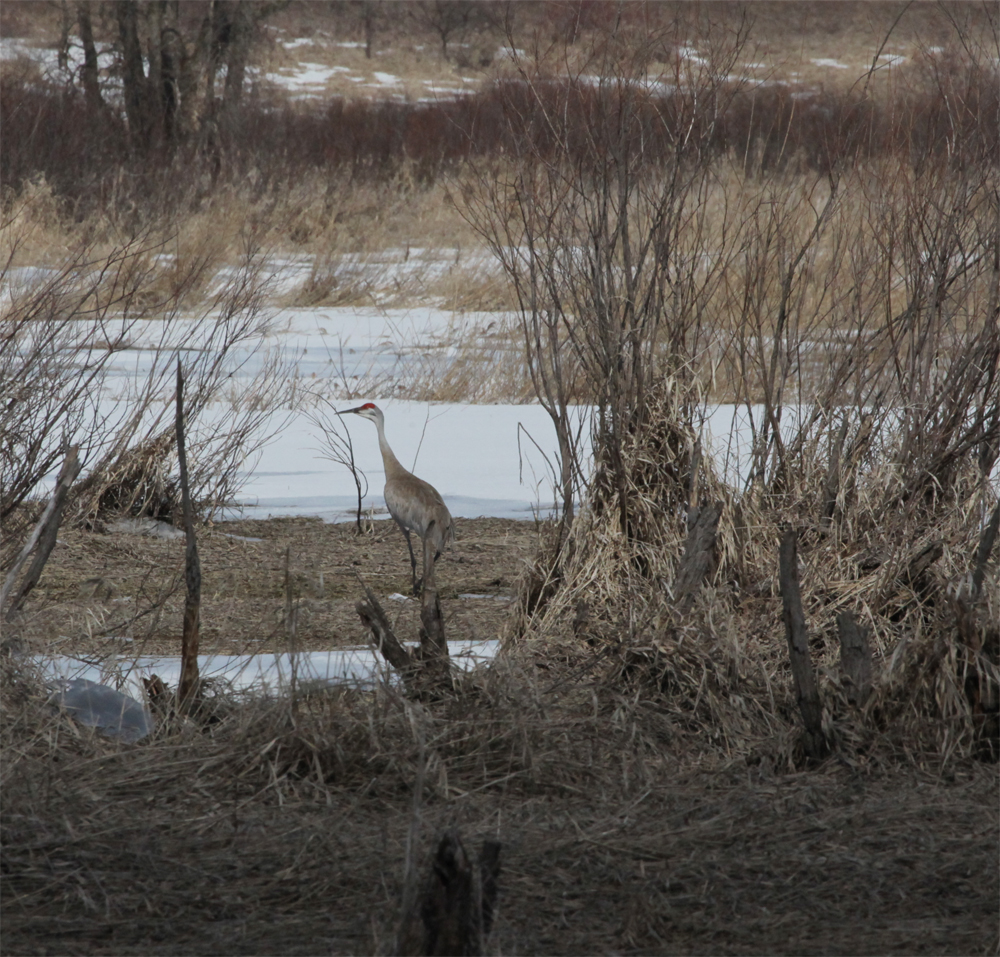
column 107, row 592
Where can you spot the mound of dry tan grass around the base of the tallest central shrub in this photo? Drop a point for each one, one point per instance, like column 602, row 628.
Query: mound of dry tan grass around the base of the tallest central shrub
column 614, row 601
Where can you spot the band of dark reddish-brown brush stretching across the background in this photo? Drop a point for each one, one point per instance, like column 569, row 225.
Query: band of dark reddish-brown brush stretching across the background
column 951, row 111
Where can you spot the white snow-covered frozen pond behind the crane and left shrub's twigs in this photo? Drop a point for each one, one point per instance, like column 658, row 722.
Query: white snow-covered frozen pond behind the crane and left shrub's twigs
column 486, row 460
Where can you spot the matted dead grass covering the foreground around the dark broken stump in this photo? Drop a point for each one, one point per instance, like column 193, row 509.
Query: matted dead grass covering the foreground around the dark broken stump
column 285, row 830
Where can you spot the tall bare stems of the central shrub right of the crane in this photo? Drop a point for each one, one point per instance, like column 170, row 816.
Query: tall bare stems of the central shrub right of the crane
column 603, row 235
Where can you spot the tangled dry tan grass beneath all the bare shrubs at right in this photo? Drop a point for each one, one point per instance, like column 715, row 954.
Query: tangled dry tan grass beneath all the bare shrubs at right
column 716, row 663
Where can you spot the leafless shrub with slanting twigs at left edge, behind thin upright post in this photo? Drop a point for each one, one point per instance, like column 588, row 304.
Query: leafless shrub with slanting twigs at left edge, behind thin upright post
column 67, row 366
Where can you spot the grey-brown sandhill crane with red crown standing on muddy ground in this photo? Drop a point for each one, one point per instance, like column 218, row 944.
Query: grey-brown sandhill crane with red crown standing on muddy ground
column 415, row 504
